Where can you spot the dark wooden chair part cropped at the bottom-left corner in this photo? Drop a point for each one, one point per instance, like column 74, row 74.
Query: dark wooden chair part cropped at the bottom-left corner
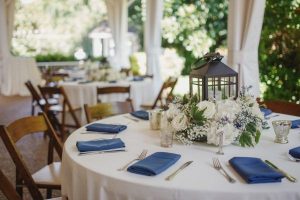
column 7, row 188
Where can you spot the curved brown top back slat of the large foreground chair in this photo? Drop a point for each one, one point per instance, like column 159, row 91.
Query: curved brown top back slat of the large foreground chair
column 25, row 126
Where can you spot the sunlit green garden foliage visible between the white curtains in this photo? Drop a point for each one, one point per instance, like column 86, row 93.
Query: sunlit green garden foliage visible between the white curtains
column 192, row 27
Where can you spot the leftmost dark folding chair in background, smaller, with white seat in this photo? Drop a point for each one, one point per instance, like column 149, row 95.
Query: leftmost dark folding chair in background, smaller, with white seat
column 37, row 100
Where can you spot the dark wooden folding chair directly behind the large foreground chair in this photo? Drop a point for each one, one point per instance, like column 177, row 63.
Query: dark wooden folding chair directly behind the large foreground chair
column 63, row 108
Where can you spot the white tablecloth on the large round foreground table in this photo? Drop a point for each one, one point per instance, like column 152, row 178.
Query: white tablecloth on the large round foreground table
column 96, row 176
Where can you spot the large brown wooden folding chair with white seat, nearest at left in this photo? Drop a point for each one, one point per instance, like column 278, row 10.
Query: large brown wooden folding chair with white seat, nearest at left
column 47, row 177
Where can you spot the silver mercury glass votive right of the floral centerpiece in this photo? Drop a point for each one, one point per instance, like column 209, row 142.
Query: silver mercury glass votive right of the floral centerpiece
column 281, row 129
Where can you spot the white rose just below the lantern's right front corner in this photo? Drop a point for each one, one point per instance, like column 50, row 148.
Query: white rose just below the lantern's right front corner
column 228, row 108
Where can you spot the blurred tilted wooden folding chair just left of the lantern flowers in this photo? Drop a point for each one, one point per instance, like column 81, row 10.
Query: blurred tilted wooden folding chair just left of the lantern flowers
column 164, row 96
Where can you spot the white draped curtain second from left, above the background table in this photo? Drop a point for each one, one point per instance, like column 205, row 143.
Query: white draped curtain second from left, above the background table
column 117, row 12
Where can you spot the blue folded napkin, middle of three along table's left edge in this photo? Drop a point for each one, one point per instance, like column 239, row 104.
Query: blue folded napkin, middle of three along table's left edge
column 106, row 128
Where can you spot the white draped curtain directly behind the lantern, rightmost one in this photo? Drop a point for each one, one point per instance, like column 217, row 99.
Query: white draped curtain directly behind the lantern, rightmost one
column 244, row 28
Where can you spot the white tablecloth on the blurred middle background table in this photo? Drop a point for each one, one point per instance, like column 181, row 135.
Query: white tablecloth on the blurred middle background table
column 80, row 94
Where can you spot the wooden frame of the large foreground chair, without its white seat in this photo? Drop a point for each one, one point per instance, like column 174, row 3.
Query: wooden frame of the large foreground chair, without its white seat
column 13, row 133
